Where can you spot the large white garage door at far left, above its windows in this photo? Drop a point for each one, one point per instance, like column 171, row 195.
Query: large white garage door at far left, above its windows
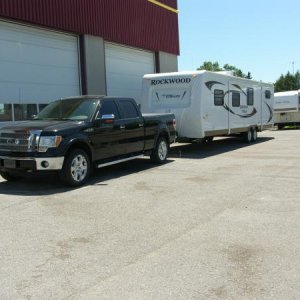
column 37, row 65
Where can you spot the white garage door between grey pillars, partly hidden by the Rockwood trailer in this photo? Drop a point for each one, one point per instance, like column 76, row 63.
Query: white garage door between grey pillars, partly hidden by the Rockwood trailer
column 125, row 68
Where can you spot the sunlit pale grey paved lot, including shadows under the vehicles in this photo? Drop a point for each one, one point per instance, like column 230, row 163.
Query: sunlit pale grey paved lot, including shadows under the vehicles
column 218, row 221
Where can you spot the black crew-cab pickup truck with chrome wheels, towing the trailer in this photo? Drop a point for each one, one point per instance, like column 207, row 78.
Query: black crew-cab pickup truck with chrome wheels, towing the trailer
column 72, row 136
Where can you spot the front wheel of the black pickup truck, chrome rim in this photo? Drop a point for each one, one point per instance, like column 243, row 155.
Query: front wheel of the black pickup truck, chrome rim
column 76, row 169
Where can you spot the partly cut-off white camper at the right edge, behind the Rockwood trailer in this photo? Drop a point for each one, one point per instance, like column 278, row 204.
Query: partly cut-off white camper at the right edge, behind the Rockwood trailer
column 287, row 108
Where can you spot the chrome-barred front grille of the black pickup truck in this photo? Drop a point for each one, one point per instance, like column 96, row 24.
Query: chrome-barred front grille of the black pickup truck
column 15, row 141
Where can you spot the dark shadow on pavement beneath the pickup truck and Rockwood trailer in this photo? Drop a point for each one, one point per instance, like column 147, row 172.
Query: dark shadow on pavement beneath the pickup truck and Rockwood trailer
column 47, row 184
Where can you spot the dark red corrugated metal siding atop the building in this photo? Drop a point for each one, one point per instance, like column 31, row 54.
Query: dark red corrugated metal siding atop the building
column 137, row 23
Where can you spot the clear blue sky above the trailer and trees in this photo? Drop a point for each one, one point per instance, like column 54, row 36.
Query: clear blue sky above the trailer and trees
column 262, row 37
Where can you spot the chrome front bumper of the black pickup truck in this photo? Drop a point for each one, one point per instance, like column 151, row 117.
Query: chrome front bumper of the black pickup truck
column 31, row 164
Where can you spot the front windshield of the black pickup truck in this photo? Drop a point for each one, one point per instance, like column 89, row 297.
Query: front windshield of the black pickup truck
column 69, row 109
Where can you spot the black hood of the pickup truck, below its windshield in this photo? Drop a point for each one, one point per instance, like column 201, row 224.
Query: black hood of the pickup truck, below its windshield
column 42, row 125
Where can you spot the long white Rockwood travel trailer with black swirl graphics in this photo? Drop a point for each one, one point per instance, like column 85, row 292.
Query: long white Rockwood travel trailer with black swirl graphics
column 208, row 104
